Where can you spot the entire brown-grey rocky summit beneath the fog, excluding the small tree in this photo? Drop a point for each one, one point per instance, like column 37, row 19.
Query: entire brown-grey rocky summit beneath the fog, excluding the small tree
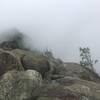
column 33, row 75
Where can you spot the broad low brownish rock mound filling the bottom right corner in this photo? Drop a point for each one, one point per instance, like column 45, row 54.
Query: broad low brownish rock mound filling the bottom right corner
column 70, row 88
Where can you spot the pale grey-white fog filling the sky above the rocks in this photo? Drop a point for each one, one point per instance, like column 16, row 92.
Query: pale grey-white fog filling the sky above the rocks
column 61, row 26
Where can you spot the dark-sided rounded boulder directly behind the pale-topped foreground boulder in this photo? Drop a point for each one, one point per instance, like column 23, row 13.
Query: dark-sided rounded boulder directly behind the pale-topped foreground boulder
column 39, row 64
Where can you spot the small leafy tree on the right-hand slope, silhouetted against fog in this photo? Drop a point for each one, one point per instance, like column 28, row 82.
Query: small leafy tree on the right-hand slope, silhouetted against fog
column 86, row 59
